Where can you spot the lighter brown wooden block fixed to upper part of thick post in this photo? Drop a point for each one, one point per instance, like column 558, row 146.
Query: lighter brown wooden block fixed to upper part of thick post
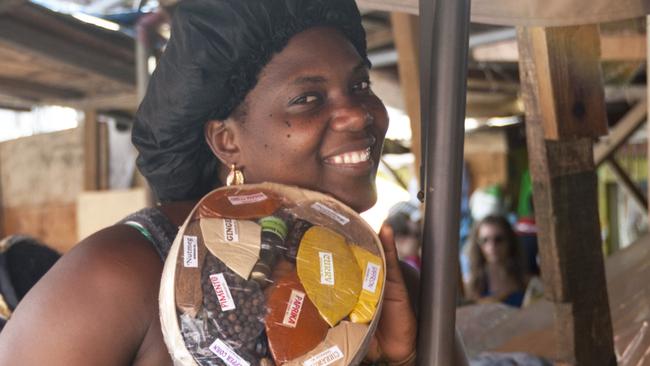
column 566, row 58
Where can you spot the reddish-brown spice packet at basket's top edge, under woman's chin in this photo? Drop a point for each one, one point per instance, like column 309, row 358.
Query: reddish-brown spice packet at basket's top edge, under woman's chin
column 239, row 203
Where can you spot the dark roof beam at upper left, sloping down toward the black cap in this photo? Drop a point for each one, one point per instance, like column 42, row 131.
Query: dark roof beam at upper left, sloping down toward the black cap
column 31, row 40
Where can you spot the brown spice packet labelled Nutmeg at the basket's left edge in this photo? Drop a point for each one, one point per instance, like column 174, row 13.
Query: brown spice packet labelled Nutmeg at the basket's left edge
column 188, row 292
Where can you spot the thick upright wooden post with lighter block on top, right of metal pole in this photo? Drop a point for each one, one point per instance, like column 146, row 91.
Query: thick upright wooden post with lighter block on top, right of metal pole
column 563, row 94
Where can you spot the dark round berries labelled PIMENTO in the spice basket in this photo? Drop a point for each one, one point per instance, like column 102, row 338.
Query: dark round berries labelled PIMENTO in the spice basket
column 235, row 307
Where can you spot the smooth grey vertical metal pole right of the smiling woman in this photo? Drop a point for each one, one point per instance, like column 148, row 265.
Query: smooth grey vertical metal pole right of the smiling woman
column 444, row 27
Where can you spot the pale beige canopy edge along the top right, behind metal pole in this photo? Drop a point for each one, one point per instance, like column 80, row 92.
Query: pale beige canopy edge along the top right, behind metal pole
column 533, row 12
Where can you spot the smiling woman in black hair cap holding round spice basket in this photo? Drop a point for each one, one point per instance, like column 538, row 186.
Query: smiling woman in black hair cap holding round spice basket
column 280, row 90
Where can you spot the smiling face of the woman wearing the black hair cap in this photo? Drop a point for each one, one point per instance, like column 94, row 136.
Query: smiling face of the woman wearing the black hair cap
column 312, row 121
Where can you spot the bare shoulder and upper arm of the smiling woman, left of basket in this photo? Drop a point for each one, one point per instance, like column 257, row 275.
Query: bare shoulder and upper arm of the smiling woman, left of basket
column 97, row 306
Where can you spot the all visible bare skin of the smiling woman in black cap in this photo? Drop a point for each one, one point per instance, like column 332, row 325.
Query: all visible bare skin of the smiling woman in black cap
column 98, row 305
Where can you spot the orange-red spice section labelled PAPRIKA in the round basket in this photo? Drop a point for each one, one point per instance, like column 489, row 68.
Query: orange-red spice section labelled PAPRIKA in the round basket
column 293, row 324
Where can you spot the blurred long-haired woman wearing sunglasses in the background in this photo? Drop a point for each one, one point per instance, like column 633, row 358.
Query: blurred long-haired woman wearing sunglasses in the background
column 497, row 267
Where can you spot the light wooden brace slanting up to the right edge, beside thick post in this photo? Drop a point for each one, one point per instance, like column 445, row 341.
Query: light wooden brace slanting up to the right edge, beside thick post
column 621, row 132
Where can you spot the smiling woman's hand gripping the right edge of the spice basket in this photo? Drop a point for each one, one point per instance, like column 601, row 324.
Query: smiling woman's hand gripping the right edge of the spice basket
column 394, row 340
